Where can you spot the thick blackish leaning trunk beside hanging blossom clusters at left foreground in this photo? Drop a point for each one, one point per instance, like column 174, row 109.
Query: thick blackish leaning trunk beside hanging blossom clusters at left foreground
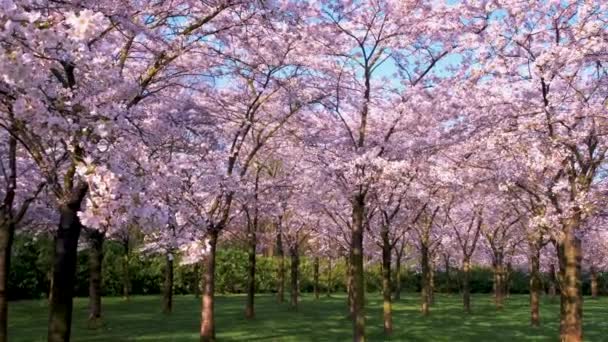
column 64, row 268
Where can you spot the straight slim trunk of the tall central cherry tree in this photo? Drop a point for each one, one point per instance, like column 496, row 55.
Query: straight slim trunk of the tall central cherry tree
column 357, row 268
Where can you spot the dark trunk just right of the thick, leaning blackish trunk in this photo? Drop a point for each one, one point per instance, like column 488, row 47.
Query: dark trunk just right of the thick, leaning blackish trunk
column 96, row 240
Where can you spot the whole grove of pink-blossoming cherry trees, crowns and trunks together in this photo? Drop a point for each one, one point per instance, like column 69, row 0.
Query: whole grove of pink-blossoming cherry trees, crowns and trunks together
column 473, row 131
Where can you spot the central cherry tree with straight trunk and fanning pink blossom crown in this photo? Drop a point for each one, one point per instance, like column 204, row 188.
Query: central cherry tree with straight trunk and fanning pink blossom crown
column 358, row 40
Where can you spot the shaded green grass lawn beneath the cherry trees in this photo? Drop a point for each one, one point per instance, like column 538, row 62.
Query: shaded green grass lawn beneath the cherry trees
column 323, row 320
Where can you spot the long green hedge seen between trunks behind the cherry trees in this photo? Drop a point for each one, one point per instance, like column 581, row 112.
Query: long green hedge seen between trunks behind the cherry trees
column 29, row 276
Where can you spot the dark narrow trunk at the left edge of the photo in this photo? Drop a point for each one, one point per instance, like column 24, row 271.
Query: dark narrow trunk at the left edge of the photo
column 7, row 233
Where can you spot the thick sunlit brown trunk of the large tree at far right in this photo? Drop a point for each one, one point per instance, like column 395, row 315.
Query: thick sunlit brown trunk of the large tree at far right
column 569, row 255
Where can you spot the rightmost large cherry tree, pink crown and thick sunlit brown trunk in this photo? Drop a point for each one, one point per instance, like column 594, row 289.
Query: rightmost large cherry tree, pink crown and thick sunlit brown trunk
column 545, row 72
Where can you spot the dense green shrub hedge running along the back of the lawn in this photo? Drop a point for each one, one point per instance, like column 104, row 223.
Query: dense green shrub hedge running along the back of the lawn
column 32, row 259
